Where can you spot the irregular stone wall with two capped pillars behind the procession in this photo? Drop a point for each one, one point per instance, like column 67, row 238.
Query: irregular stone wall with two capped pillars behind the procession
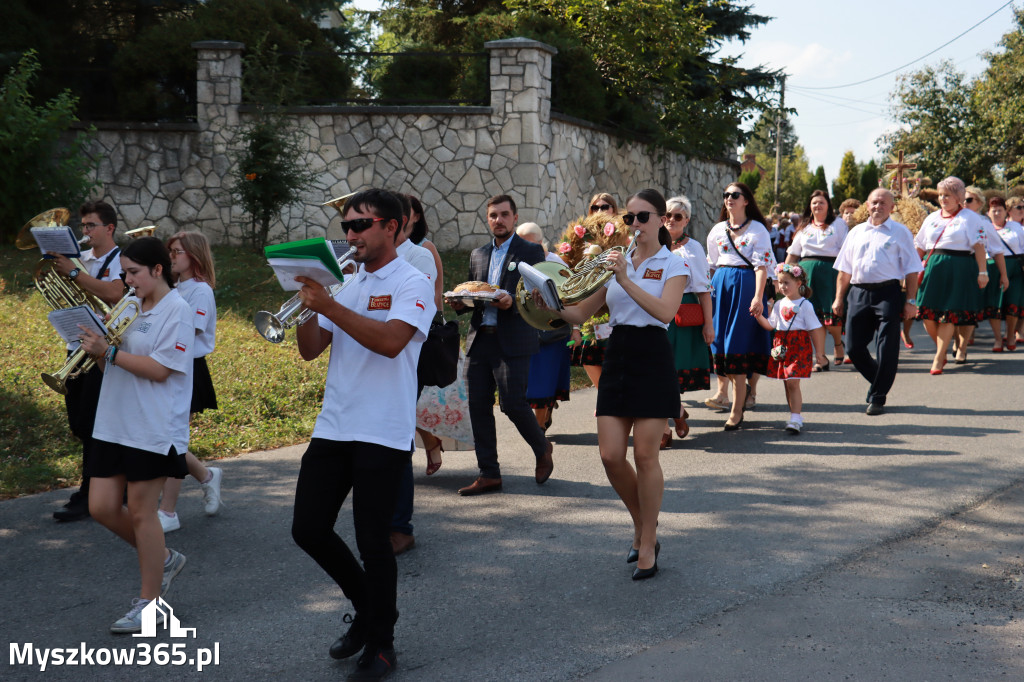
column 454, row 158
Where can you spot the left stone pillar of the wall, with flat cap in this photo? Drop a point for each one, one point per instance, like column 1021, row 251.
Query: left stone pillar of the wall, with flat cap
column 219, row 96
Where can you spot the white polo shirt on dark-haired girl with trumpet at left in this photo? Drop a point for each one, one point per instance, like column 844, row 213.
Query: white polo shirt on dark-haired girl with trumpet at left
column 144, row 414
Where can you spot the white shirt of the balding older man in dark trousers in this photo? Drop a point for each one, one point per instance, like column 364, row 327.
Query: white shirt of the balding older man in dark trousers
column 879, row 253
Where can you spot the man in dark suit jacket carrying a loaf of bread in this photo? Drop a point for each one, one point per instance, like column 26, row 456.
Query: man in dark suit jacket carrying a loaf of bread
column 500, row 345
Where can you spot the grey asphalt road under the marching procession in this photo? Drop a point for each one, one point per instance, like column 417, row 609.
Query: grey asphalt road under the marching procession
column 867, row 548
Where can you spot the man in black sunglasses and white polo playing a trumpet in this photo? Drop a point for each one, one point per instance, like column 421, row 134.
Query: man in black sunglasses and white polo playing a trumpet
column 364, row 436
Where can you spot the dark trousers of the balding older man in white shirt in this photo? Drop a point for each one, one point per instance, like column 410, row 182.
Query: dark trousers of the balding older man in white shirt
column 875, row 316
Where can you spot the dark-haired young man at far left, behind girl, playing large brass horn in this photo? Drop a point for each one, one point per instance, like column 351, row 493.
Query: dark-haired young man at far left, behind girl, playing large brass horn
column 100, row 276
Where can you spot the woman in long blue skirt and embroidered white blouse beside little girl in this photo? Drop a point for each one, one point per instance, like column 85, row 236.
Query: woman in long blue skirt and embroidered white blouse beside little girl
column 740, row 251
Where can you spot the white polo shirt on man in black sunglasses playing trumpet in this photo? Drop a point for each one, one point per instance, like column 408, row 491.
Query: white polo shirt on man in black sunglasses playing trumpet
column 370, row 398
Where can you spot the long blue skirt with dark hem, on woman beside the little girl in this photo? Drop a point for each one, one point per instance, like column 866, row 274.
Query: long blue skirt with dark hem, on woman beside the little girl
column 741, row 346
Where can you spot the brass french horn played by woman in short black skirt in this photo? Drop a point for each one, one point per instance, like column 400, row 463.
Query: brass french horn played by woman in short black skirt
column 574, row 286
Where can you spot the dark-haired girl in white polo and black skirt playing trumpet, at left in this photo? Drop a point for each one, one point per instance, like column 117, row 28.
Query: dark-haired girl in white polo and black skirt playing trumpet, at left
column 142, row 431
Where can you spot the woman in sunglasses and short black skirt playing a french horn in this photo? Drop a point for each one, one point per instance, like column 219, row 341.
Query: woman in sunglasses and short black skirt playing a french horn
column 638, row 390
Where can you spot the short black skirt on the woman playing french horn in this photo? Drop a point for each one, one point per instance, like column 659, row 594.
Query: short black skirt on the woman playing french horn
column 638, row 377
